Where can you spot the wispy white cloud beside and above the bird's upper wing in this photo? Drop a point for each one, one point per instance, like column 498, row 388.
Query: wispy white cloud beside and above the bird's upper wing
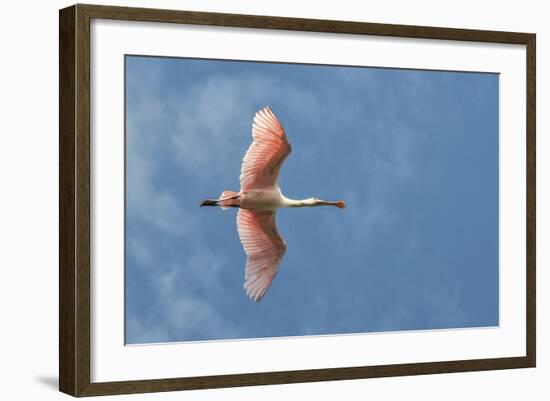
column 214, row 119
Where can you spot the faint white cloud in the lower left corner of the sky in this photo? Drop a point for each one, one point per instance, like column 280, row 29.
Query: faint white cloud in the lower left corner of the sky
column 180, row 309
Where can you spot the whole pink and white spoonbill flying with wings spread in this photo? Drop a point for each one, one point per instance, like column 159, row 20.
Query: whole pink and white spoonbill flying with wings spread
column 258, row 201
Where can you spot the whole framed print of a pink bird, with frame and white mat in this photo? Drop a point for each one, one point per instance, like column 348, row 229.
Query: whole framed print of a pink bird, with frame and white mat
column 250, row 200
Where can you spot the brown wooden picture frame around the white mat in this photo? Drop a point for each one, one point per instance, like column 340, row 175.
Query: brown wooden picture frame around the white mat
column 74, row 199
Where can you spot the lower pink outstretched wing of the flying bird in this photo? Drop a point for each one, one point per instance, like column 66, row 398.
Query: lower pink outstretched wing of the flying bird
column 265, row 248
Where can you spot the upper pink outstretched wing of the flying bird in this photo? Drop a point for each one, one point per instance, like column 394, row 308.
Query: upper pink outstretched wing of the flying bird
column 269, row 149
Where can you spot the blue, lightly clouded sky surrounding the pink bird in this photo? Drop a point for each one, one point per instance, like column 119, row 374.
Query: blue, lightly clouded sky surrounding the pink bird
column 413, row 153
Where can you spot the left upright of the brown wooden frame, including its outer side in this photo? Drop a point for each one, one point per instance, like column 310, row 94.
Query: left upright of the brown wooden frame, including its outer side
column 74, row 204
